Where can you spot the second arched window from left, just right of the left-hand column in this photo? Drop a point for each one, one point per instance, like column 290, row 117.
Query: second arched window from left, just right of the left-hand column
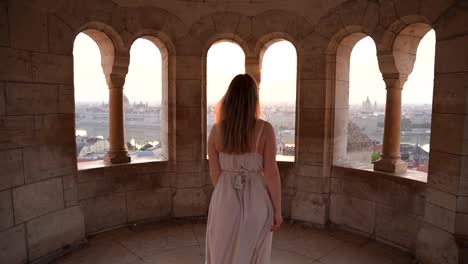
column 143, row 102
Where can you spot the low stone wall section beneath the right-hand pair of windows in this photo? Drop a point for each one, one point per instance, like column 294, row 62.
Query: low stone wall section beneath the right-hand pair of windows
column 377, row 205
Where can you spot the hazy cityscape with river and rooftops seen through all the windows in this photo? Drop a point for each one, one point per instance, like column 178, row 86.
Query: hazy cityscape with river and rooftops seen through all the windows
column 364, row 141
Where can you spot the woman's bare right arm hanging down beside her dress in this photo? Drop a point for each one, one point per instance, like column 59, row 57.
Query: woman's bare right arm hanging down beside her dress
column 271, row 172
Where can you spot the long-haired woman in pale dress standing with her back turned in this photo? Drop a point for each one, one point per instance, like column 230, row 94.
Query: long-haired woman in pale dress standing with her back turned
column 245, row 206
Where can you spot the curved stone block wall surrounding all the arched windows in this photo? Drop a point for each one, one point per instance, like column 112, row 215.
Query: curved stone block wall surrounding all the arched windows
column 41, row 187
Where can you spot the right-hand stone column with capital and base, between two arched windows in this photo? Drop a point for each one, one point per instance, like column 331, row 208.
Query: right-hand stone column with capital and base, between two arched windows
column 390, row 160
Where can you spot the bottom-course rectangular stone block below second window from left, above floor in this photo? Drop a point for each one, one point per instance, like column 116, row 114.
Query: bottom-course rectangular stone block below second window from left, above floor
column 149, row 204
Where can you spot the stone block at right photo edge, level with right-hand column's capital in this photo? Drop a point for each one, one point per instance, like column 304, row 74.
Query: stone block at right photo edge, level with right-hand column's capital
column 450, row 93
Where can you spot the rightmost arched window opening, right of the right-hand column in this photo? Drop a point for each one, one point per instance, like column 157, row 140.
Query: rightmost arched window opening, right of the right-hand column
column 416, row 111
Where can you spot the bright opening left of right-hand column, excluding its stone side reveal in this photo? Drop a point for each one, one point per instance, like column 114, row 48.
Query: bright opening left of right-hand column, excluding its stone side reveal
column 367, row 96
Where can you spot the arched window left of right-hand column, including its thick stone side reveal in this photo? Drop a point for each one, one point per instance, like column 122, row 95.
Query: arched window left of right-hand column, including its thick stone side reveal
column 360, row 98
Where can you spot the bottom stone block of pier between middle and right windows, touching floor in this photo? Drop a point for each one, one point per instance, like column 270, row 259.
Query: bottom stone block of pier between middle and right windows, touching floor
column 309, row 207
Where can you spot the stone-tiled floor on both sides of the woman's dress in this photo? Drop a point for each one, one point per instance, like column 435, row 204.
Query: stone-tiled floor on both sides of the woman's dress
column 183, row 242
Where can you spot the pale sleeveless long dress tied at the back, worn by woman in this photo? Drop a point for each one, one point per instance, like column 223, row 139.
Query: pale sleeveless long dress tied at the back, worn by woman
column 241, row 212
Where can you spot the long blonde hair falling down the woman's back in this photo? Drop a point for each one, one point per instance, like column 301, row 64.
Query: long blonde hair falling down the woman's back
column 237, row 113
